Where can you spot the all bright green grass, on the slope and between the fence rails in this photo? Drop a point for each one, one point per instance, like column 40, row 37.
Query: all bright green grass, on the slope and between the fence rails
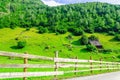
column 36, row 44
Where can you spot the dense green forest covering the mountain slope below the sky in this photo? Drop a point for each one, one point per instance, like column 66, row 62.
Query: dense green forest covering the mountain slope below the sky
column 86, row 17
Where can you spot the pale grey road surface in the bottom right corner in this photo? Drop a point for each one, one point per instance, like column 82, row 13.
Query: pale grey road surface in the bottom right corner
column 106, row 76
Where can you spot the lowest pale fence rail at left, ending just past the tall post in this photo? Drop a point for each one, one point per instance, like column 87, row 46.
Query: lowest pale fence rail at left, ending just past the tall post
column 29, row 74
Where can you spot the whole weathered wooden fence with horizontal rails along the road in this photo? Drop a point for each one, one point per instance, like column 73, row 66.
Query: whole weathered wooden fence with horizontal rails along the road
column 58, row 63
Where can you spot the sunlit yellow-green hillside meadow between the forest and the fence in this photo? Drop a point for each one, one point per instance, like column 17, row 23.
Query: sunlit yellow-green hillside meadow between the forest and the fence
column 46, row 44
